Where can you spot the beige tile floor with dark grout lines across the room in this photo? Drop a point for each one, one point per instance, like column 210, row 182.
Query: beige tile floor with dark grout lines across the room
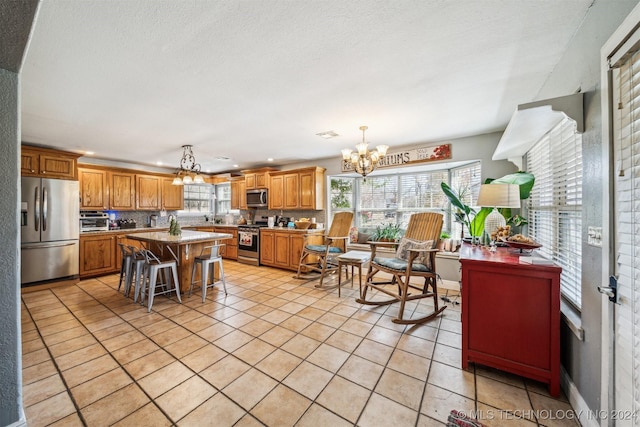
column 275, row 351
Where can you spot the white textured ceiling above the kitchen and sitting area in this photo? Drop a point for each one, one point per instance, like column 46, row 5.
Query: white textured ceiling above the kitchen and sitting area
column 248, row 80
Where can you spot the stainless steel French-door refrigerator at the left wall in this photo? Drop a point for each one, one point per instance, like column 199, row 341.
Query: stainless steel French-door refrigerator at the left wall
column 50, row 229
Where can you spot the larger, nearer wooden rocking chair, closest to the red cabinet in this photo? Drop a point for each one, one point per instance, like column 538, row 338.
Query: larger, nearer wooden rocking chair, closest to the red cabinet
column 415, row 257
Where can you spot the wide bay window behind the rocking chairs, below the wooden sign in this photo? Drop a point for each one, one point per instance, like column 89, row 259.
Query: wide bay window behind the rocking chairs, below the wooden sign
column 393, row 198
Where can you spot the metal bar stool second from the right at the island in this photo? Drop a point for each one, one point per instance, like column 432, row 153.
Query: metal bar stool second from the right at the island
column 152, row 267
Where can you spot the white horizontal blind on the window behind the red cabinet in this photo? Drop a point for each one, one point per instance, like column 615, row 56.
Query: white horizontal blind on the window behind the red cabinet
column 555, row 204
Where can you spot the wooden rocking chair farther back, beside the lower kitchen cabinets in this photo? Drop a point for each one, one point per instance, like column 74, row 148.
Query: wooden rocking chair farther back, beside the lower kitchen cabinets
column 321, row 257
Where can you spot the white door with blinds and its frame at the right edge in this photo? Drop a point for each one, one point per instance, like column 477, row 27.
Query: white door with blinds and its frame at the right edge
column 624, row 261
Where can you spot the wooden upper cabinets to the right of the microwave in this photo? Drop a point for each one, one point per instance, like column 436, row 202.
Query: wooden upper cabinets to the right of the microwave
column 297, row 189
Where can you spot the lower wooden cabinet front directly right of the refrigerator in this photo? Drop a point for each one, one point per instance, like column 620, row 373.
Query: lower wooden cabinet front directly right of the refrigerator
column 97, row 255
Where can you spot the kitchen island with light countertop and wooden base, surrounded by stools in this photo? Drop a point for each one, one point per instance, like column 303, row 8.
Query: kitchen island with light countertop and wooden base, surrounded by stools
column 183, row 248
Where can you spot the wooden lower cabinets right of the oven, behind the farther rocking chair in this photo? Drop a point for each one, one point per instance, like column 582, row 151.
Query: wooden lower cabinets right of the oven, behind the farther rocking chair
column 282, row 247
